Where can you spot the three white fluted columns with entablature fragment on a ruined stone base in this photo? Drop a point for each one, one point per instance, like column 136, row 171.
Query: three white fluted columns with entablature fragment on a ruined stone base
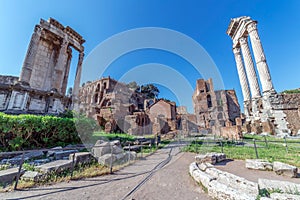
column 265, row 109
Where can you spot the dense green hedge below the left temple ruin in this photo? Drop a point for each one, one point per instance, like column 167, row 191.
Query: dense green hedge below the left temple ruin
column 32, row 131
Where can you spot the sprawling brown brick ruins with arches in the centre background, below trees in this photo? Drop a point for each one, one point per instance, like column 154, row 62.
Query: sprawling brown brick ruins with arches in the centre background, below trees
column 117, row 108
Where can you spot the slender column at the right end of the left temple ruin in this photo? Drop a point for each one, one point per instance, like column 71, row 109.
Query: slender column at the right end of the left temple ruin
column 77, row 81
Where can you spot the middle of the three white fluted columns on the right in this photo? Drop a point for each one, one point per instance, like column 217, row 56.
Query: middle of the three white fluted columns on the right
column 249, row 66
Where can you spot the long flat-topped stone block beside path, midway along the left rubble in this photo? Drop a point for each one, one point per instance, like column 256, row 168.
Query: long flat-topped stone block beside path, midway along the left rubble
column 55, row 166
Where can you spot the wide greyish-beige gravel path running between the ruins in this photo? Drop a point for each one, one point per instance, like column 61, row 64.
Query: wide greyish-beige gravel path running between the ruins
column 172, row 181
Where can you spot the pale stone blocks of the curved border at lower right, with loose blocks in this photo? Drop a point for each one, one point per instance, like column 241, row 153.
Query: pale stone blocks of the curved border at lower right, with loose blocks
column 224, row 185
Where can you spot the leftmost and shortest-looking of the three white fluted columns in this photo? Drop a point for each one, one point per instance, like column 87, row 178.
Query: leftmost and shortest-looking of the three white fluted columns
column 241, row 73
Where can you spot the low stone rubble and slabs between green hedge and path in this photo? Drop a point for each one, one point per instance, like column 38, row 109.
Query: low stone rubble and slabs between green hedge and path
column 45, row 162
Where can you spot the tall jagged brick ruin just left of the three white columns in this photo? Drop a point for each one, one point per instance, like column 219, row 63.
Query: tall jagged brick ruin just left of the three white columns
column 215, row 109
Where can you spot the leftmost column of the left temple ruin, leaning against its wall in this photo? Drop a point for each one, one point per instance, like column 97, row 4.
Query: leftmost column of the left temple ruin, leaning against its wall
column 30, row 55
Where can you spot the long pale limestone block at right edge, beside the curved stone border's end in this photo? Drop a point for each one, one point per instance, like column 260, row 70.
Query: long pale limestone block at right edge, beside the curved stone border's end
column 283, row 186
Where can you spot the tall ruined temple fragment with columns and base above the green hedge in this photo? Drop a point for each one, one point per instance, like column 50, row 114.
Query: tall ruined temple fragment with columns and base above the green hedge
column 41, row 87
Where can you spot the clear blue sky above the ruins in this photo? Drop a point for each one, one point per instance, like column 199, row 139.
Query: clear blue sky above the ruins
column 203, row 21
